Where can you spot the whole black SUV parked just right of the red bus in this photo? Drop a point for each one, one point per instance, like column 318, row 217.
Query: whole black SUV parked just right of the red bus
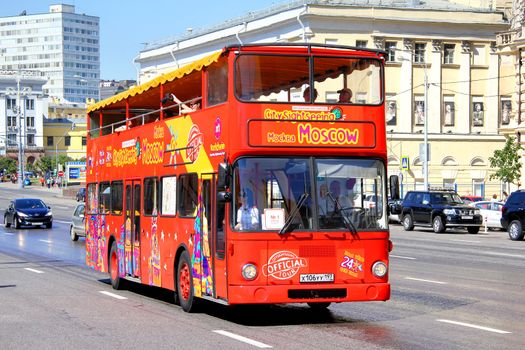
column 439, row 209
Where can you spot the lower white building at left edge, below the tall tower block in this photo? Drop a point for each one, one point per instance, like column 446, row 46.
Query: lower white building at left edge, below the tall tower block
column 23, row 105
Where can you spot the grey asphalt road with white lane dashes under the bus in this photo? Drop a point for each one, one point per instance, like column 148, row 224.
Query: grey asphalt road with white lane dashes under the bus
column 449, row 291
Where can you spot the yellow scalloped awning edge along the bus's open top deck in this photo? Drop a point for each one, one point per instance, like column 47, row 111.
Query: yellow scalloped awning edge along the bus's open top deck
column 176, row 74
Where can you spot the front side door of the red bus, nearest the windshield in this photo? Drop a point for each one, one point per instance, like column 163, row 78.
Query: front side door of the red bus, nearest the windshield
column 212, row 218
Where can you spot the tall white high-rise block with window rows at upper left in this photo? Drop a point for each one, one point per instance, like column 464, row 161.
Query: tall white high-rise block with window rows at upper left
column 62, row 44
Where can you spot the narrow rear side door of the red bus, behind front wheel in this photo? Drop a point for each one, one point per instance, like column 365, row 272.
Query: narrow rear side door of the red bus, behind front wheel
column 132, row 228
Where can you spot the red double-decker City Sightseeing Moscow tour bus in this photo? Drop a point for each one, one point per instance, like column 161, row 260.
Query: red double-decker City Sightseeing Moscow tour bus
column 254, row 175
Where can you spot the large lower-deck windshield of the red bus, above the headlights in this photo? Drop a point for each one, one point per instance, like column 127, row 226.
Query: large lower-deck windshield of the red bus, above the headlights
column 310, row 193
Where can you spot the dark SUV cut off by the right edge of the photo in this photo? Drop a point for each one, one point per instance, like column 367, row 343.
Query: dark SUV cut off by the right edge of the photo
column 513, row 215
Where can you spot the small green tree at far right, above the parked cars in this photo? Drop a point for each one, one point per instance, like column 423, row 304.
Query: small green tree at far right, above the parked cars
column 506, row 162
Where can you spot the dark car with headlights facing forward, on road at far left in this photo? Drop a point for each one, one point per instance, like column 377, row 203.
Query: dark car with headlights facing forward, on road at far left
column 28, row 212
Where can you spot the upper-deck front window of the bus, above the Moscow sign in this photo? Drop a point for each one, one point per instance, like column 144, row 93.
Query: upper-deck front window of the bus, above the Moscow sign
column 341, row 80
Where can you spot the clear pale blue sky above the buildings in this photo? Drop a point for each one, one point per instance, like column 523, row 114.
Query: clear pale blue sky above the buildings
column 125, row 25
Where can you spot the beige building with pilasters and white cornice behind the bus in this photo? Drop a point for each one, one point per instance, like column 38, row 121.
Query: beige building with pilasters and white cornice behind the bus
column 443, row 75
